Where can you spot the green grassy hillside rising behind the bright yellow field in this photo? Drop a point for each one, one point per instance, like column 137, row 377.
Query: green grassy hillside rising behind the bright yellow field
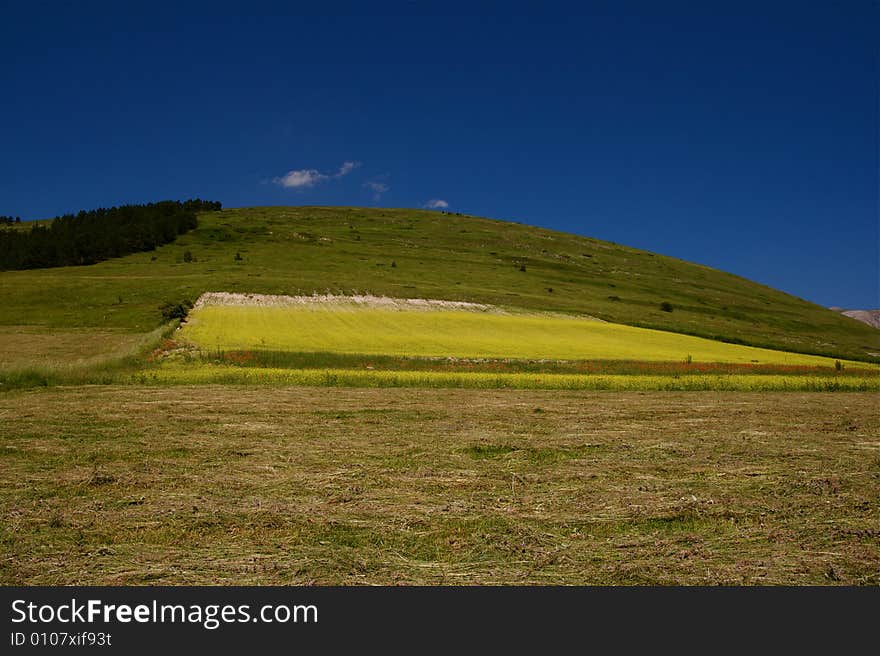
column 301, row 250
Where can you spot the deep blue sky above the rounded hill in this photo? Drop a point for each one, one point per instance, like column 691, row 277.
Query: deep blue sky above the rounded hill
column 739, row 135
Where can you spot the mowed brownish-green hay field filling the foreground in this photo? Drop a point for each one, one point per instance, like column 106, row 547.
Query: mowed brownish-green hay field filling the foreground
column 237, row 485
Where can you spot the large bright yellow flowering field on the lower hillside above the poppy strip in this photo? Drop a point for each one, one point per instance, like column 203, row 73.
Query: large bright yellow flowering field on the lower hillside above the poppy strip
column 457, row 333
